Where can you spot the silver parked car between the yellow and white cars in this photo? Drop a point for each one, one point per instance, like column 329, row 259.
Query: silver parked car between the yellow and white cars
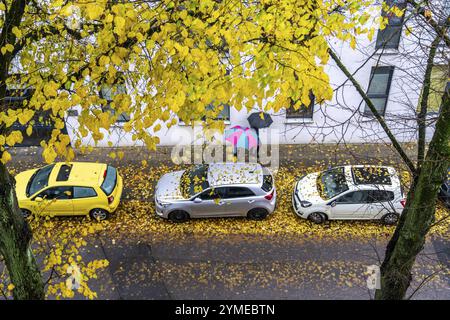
column 216, row 190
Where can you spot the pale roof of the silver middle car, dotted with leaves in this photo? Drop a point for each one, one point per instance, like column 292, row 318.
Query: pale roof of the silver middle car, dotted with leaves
column 220, row 174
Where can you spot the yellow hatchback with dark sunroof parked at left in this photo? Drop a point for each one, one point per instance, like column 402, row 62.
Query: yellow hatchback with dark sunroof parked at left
column 74, row 188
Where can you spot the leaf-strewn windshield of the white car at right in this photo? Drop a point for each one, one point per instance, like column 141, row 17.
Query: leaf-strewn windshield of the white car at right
column 331, row 183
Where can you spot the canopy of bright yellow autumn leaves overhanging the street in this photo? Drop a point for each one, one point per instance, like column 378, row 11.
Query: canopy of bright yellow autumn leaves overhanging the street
column 175, row 60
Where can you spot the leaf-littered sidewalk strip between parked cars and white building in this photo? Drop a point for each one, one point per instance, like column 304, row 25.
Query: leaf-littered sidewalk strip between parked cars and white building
column 298, row 154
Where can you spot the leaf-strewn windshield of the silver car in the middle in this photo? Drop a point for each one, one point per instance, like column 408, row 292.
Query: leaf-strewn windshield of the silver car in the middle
column 194, row 180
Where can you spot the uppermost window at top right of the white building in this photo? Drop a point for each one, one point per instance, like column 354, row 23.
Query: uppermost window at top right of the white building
column 389, row 37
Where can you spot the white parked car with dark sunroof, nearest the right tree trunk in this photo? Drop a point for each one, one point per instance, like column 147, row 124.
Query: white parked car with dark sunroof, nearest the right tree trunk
column 350, row 193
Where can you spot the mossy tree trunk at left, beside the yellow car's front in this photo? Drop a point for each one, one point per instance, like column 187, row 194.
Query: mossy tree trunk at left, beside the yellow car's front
column 15, row 238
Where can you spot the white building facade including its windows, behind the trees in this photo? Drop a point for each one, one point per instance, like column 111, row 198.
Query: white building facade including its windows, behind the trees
column 390, row 68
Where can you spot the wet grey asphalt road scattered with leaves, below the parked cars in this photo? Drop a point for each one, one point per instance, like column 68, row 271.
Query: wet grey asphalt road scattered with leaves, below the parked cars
column 248, row 267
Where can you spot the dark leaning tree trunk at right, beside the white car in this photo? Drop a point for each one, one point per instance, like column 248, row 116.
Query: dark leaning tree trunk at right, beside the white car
column 418, row 215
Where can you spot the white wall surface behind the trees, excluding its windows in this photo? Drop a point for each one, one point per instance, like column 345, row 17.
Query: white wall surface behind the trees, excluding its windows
column 339, row 120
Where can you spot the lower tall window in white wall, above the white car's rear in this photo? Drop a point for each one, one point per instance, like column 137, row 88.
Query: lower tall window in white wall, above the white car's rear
column 378, row 92
